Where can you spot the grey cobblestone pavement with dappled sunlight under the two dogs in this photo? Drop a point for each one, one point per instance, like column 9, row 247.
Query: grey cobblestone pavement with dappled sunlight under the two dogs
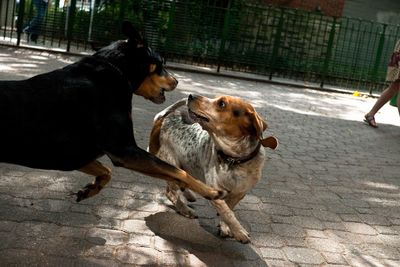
column 329, row 195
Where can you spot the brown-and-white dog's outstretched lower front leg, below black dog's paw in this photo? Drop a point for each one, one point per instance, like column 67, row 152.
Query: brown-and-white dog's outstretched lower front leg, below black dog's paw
column 227, row 216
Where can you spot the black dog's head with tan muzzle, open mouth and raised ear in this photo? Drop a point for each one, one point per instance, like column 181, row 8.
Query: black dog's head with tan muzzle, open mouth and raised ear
column 143, row 67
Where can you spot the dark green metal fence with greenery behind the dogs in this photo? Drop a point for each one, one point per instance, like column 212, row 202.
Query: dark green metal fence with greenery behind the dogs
column 232, row 35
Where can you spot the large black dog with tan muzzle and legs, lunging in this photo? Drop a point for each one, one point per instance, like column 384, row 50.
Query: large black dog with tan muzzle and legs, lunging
column 67, row 118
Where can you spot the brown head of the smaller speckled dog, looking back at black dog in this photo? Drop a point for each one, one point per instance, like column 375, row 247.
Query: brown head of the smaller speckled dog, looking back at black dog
column 229, row 117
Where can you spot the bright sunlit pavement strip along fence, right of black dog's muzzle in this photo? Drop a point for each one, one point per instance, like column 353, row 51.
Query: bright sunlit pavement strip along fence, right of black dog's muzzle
column 301, row 101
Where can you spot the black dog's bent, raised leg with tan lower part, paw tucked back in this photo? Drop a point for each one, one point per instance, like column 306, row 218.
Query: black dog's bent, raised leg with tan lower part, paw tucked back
column 103, row 176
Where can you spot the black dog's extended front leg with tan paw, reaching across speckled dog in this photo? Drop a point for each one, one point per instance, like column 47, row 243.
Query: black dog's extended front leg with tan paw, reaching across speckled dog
column 139, row 160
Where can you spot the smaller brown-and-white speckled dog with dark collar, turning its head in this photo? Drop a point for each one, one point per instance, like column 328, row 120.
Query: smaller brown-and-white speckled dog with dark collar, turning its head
column 223, row 149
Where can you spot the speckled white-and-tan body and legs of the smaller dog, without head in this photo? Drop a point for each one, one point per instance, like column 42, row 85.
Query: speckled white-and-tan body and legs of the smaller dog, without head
column 186, row 145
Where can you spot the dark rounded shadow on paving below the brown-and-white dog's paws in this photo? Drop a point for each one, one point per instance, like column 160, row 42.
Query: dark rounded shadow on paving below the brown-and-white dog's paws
column 188, row 234
